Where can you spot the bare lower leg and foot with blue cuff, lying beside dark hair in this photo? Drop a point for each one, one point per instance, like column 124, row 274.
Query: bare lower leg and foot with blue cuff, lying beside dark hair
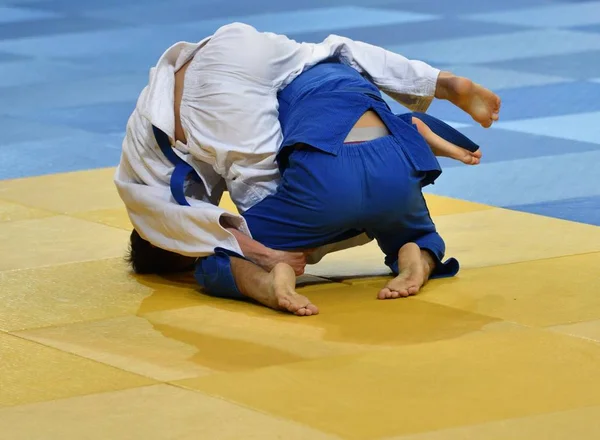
column 228, row 276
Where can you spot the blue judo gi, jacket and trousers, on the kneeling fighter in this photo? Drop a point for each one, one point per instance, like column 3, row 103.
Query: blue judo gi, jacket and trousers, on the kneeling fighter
column 331, row 191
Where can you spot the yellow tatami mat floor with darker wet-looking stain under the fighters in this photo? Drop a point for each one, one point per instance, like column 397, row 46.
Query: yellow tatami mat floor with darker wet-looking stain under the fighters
column 509, row 349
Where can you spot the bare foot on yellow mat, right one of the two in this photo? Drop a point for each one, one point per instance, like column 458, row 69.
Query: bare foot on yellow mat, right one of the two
column 415, row 268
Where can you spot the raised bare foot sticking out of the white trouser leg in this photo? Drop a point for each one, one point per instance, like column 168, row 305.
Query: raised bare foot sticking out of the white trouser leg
column 482, row 104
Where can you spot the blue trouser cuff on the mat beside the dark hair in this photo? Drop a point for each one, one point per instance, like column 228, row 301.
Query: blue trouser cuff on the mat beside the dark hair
column 214, row 274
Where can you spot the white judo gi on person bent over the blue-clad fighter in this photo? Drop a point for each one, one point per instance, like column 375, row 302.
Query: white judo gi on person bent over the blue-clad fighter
column 229, row 114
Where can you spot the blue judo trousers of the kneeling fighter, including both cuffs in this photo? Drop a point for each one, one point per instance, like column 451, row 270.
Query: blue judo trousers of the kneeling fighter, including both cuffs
column 367, row 187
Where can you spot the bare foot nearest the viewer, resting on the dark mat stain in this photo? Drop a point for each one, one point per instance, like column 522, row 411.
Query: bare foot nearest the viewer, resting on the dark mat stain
column 280, row 293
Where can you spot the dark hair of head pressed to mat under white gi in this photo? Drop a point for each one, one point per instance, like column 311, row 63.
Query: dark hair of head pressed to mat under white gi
column 145, row 258
